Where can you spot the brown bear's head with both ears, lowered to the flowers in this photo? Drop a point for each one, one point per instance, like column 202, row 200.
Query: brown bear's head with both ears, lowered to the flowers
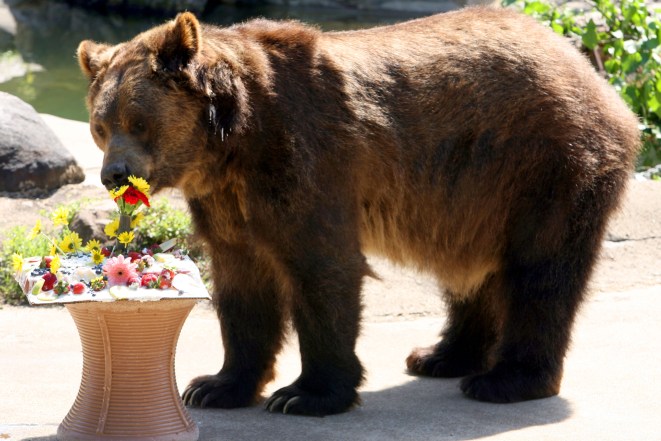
column 156, row 102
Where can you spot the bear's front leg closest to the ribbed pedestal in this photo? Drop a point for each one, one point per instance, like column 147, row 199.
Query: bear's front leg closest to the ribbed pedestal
column 248, row 303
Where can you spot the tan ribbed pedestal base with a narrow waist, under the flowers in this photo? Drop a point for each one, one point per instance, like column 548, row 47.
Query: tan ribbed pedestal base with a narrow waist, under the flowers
column 128, row 389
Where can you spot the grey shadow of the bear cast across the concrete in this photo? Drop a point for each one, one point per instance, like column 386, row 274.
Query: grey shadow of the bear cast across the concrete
column 423, row 408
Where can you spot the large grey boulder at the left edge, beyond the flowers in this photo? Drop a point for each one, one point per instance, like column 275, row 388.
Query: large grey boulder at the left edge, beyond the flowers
column 32, row 159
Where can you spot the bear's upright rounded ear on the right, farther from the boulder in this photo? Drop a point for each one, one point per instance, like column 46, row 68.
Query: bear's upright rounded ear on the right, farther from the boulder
column 182, row 41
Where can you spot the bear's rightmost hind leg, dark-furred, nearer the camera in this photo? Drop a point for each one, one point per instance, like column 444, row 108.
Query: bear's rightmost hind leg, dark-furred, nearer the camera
column 543, row 294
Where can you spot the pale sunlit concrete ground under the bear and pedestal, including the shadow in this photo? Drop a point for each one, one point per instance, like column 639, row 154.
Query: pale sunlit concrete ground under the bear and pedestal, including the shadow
column 610, row 391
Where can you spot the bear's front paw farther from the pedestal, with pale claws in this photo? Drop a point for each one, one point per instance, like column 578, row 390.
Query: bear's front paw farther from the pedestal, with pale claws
column 294, row 400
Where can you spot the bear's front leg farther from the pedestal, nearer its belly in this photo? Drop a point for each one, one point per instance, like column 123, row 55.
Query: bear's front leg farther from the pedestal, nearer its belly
column 326, row 311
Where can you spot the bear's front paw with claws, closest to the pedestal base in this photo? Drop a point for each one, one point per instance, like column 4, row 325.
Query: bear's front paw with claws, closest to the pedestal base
column 219, row 391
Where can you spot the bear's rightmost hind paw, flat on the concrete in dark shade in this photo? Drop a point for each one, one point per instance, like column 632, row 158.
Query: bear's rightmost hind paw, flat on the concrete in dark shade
column 509, row 386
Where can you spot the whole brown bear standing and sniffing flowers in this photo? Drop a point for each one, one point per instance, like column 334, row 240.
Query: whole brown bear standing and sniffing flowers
column 475, row 145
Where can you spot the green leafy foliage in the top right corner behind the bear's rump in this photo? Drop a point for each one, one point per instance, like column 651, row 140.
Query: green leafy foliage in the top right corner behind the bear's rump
column 623, row 39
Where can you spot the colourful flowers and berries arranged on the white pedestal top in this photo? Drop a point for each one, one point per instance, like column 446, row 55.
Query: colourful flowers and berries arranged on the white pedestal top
column 73, row 268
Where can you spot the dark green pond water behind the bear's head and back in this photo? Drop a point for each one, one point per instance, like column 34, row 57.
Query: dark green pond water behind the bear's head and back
column 48, row 34
